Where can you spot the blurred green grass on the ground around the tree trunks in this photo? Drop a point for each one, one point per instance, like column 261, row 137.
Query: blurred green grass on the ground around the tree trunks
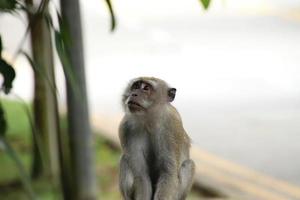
column 19, row 135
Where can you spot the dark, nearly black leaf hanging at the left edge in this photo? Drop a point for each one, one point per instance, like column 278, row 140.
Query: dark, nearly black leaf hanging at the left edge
column 9, row 75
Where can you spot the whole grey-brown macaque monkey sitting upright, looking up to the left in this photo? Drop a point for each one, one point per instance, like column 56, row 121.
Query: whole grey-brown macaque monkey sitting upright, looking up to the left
column 155, row 164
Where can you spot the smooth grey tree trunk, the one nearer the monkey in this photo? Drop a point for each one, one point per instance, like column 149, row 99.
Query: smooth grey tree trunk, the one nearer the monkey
column 78, row 117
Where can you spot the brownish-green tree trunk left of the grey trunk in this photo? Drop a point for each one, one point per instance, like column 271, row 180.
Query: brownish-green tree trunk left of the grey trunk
column 46, row 120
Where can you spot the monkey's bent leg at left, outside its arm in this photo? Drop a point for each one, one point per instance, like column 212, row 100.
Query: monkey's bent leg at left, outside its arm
column 125, row 179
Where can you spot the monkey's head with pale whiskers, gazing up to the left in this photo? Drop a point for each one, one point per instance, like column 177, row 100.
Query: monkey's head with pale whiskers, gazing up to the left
column 147, row 93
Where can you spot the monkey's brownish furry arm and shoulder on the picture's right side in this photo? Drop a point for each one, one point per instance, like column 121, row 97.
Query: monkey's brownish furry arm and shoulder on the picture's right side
column 172, row 149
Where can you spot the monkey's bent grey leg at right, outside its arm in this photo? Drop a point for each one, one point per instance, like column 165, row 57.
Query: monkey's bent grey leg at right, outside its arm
column 186, row 175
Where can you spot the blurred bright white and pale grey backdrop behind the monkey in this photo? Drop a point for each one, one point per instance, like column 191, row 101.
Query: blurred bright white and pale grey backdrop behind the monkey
column 236, row 67
